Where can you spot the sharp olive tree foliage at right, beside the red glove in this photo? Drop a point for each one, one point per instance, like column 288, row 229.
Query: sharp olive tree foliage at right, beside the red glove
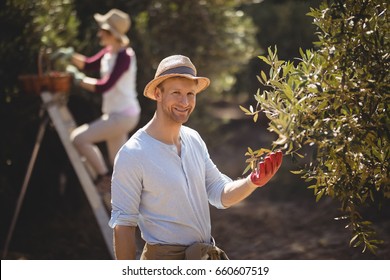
column 336, row 101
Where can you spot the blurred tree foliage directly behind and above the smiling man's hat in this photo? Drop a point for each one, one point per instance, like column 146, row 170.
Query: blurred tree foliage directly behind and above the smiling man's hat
column 215, row 34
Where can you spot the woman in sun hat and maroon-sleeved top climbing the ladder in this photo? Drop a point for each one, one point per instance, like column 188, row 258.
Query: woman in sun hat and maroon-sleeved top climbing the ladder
column 121, row 111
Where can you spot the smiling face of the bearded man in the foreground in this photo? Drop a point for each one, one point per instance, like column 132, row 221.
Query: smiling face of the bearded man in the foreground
column 176, row 99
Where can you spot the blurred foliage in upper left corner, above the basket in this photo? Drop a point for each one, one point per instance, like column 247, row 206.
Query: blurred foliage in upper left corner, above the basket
column 31, row 26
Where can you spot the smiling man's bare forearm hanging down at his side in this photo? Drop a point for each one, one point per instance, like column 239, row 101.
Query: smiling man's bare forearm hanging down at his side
column 124, row 242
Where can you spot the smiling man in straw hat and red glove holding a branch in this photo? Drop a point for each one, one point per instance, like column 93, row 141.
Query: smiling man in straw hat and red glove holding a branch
column 164, row 178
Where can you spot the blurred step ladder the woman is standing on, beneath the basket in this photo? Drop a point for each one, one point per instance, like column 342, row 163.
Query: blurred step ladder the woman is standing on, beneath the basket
column 61, row 118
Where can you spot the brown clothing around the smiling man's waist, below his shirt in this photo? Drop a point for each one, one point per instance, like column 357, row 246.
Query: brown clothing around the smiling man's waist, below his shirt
column 196, row 251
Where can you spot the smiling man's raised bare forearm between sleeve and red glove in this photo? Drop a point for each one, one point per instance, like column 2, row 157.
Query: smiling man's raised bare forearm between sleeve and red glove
column 236, row 191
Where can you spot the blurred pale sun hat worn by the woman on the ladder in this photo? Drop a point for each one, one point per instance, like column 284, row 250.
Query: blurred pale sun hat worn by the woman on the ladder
column 117, row 22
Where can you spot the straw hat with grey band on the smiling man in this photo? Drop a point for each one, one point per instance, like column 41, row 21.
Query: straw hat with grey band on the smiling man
column 175, row 66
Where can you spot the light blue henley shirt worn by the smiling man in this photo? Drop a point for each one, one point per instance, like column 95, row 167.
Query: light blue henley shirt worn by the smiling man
column 165, row 194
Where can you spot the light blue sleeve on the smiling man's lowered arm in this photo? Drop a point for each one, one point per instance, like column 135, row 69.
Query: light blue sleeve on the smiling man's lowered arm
column 126, row 189
